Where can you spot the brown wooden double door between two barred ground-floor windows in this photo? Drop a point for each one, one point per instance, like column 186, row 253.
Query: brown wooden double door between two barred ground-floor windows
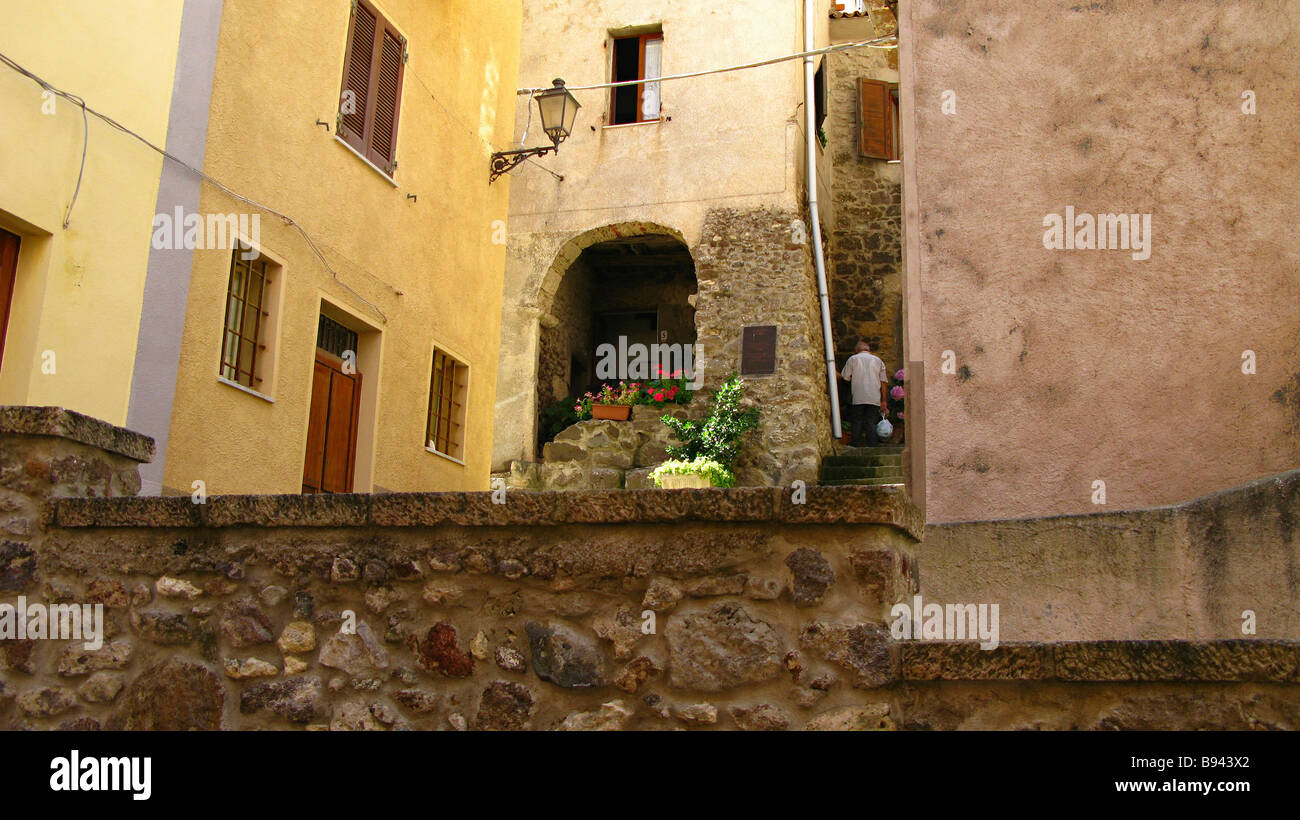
column 331, row 458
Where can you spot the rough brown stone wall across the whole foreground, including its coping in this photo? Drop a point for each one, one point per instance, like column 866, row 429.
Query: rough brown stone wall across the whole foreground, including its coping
column 587, row 610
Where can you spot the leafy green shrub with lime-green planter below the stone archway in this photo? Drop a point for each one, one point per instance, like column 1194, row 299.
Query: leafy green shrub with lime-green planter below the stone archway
column 710, row 446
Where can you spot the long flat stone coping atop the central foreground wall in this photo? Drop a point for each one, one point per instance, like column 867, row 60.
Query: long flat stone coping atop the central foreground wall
column 838, row 506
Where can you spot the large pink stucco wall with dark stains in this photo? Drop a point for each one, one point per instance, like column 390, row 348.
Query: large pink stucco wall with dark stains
column 1082, row 366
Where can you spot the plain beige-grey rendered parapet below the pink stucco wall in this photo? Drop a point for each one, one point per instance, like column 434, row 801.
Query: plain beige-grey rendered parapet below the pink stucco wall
column 1188, row 570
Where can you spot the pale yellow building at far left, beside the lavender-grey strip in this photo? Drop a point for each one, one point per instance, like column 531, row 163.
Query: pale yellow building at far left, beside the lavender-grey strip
column 72, row 293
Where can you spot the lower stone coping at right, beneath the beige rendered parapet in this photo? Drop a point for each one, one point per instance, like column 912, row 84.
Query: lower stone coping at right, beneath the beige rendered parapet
column 1242, row 661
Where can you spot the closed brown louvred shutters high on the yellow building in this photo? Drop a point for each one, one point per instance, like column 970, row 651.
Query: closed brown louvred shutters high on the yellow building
column 372, row 86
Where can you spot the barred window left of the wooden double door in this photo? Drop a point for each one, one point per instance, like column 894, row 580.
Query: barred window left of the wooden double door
column 242, row 345
